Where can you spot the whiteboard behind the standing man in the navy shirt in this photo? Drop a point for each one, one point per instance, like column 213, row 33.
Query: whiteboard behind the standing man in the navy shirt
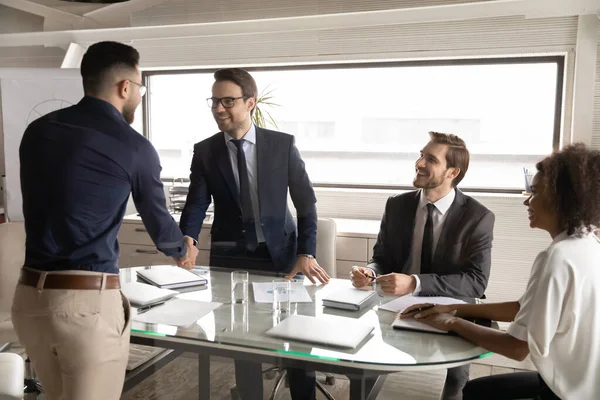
column 25, row 95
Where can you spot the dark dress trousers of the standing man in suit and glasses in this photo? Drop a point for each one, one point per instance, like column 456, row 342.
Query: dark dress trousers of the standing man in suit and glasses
column 248, row 374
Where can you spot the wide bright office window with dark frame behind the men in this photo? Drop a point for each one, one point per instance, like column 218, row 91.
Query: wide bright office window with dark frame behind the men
column 364, row 125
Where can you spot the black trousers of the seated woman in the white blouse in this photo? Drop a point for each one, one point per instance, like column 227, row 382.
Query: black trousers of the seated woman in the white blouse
column 518, row 385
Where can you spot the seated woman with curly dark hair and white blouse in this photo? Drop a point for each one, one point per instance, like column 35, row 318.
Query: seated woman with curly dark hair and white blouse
column 557, row 320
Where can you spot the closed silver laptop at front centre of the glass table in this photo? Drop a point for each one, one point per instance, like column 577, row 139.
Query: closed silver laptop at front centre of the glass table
column 328, row 330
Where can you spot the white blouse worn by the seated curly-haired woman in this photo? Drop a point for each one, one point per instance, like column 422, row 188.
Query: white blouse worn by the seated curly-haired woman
column 559, row 316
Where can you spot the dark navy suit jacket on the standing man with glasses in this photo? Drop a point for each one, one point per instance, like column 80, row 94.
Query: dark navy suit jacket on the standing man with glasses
column 279, row 167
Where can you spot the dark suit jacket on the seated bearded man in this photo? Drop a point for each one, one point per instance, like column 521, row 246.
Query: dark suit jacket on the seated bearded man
column 462, row 259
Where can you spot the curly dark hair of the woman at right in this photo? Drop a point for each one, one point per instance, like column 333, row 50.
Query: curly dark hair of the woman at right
column 572, row 178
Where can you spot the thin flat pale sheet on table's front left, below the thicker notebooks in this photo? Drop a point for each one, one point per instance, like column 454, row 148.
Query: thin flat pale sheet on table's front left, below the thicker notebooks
column 178, row 312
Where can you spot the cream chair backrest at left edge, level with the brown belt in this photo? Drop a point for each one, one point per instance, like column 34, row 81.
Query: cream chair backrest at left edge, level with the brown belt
column 12, row 256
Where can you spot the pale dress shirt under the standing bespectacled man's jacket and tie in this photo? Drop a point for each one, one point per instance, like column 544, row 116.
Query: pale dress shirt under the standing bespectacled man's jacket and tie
column 249, row 147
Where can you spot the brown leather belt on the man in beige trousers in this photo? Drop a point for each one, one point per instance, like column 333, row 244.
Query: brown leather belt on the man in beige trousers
column 65, row 281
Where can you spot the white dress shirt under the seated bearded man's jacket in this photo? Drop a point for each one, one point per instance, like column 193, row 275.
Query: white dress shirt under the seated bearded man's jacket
column 440, row 212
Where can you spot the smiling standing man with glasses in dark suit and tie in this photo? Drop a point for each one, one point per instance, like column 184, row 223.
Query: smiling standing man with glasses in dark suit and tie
column 247, row 172
